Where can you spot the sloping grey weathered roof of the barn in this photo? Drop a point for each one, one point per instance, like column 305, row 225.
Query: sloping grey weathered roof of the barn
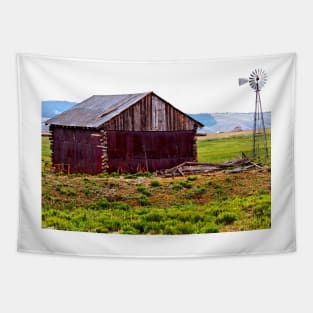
column 97, row 110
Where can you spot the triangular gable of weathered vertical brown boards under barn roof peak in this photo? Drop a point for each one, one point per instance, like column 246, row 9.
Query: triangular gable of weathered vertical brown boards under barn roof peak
column 150, row 114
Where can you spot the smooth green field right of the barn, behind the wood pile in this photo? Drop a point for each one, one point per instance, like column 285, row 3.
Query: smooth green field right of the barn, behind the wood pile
column 222, row 149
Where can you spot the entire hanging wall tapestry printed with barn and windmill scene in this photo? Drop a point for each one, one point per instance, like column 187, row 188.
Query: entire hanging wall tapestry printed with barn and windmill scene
column 180, row 158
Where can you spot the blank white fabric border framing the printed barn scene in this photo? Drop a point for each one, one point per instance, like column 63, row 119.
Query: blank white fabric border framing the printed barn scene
column 32, row 238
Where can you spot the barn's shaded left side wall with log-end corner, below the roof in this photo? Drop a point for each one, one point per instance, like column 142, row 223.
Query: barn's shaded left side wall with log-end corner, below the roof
column 83, row 149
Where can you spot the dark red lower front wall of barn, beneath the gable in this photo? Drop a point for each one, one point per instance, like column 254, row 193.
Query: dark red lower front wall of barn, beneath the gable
column 132, row 151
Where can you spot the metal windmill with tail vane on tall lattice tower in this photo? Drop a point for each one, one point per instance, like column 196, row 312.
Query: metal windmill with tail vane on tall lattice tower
column 257, row 80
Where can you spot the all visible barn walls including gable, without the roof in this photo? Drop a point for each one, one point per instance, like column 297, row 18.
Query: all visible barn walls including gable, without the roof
column 150, row 135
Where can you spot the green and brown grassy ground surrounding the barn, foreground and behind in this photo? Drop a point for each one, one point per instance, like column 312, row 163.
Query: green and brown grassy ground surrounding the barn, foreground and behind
column 146, row 204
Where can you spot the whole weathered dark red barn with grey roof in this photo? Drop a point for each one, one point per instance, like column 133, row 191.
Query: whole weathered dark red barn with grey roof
column 122, row 133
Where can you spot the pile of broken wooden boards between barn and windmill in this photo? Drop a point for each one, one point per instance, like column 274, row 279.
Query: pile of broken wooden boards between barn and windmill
column 189, row 168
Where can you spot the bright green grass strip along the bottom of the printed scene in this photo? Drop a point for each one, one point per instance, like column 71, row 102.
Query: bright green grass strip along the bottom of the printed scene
column 237, row 214
